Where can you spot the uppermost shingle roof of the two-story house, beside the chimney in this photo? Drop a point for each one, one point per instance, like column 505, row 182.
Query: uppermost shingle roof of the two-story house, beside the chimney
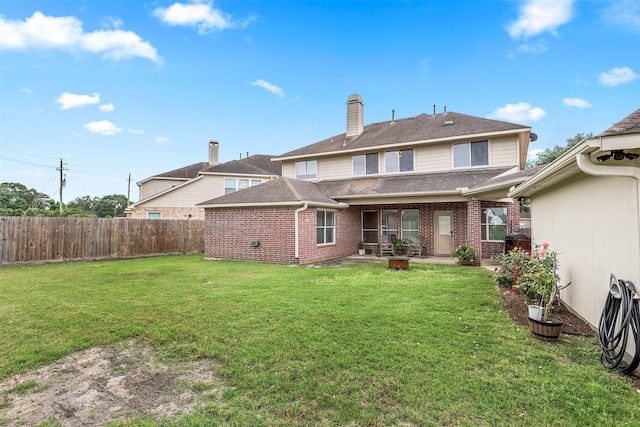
column 421, row 128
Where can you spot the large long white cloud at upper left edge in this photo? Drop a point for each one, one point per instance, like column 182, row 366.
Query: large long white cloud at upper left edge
column 66, row 33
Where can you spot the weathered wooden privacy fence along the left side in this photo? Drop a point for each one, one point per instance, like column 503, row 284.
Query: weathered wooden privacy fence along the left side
column 38, row 239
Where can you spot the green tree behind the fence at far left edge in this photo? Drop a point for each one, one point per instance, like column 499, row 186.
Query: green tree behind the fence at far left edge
column 18, row 200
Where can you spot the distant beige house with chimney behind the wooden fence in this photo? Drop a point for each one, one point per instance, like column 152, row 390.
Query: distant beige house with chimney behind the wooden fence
column 175, row 194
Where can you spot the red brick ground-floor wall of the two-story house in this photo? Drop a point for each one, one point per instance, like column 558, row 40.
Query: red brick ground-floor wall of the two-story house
column 229, row 231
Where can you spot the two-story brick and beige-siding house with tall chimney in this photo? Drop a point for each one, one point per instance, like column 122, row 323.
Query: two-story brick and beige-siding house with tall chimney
column 438, row 179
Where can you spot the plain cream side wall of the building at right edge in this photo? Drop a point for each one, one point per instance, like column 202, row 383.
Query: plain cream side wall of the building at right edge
column 593, row 224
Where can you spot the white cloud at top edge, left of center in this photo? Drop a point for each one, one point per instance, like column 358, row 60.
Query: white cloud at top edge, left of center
column 200, row 14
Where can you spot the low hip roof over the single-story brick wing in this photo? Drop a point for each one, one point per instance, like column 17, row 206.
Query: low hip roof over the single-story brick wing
column 281, row 191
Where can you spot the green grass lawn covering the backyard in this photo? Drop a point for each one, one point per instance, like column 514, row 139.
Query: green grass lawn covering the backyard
column 358, row 345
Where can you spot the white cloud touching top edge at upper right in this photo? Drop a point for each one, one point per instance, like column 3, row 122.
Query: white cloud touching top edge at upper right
column 540, row 16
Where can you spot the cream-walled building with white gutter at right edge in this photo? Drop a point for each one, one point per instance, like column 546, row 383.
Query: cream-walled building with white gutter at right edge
column 586, row 205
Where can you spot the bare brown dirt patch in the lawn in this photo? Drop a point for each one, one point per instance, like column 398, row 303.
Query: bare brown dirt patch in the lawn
column 97, row 385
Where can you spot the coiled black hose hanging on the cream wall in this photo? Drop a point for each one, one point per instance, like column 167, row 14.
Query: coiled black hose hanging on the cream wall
column 620, row 319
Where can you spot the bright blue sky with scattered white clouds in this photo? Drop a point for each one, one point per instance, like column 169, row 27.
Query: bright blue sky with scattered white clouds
column 140, row 87
